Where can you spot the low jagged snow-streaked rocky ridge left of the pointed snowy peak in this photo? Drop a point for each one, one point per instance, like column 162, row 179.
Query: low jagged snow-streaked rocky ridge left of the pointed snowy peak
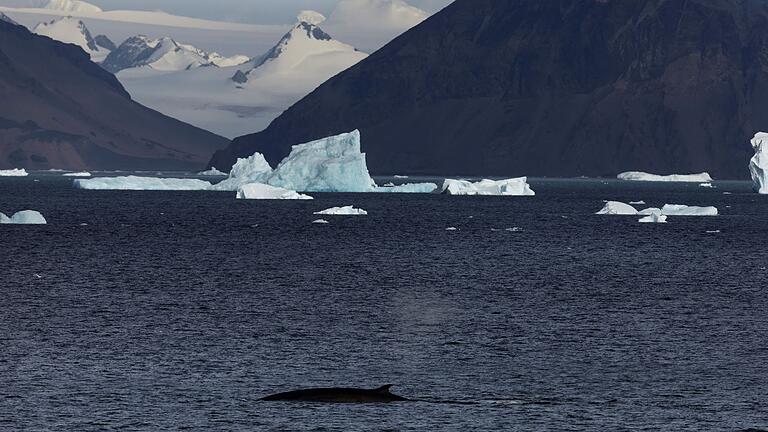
column 164, row 54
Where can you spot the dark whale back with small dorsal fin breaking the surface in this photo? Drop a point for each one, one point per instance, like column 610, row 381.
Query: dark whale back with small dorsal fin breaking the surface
column 338, row 395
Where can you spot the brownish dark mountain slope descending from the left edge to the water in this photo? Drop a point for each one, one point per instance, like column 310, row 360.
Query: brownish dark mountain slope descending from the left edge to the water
column 60, row 110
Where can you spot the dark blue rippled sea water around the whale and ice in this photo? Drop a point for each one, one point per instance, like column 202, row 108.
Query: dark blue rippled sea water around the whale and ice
column 178, row 311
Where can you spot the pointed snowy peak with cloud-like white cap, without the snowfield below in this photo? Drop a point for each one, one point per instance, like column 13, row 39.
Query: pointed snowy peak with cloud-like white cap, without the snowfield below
column 306, row 49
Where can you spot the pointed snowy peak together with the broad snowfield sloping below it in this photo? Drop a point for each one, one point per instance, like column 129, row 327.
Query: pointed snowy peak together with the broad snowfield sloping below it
column 236, row 100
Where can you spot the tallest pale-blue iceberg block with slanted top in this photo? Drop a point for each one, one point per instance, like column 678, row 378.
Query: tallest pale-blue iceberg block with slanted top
column 333, row 164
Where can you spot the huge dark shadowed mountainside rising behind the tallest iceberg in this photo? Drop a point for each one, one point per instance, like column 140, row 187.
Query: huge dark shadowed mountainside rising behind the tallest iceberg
column 549, row 88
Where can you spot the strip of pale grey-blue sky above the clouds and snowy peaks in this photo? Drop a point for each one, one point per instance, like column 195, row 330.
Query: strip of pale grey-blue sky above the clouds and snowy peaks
column 249, row 11
